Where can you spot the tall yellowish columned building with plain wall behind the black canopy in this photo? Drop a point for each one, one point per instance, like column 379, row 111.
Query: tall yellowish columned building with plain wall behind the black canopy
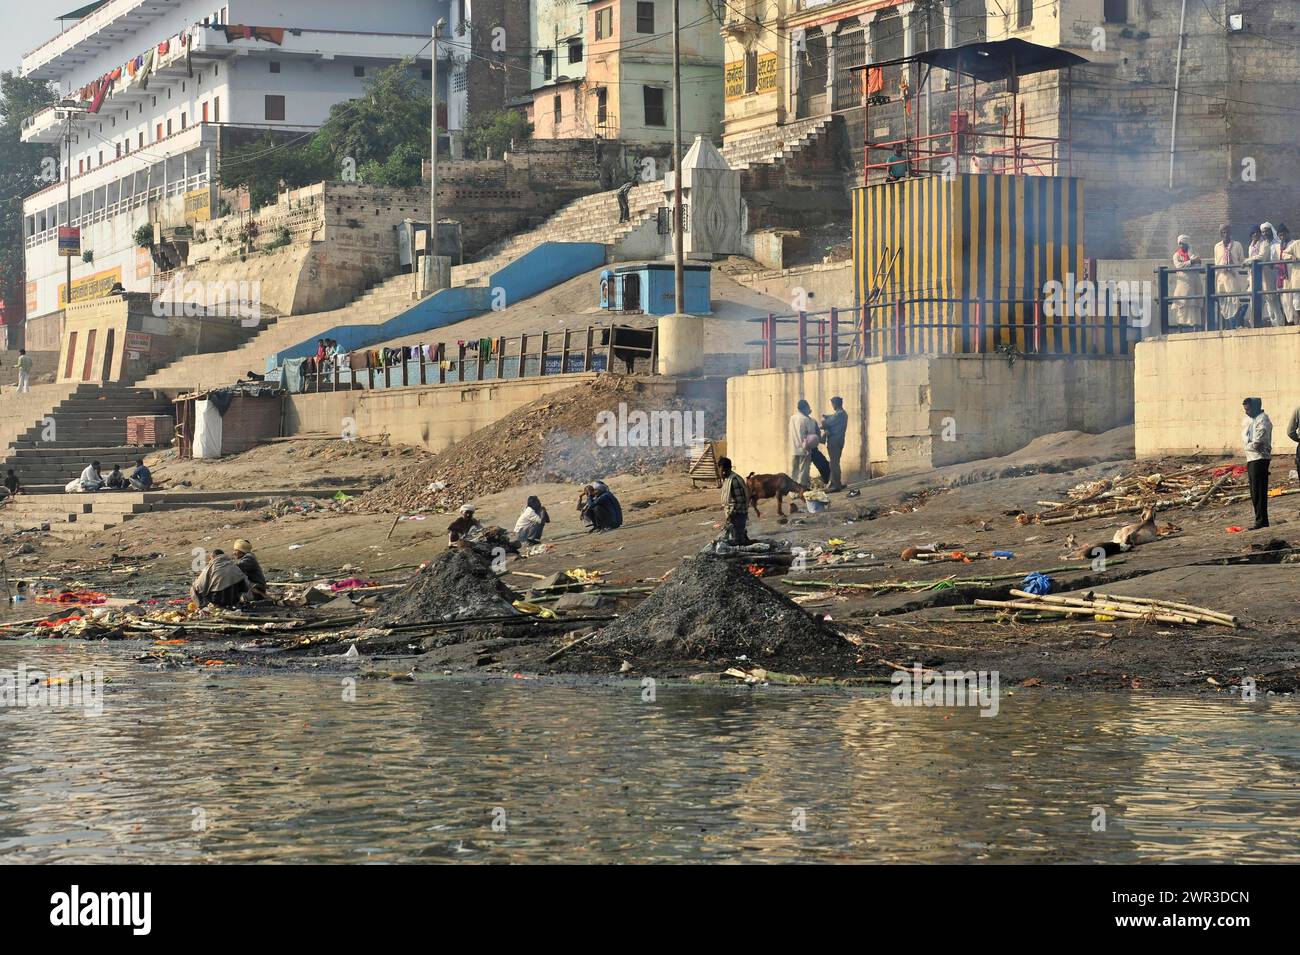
column 1152, row 168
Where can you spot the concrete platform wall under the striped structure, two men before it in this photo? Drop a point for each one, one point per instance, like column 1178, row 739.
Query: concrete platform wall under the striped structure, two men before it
column 928, row 413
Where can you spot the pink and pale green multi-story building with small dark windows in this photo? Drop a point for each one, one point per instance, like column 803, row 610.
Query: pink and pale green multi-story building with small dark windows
column 626, row 90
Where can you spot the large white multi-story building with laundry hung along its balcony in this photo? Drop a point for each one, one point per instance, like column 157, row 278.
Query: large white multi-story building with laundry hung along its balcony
column 175, row 83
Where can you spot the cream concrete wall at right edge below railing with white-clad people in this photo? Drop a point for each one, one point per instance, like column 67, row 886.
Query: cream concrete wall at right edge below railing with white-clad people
column 1189, row 390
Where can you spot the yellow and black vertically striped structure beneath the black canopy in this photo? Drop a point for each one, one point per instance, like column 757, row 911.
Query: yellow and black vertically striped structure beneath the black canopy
column 973, row 253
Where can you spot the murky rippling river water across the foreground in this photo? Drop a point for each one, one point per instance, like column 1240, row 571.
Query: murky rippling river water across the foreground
column 228, row 767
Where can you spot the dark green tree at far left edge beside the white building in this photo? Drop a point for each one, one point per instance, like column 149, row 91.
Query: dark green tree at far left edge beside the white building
column 23, row 168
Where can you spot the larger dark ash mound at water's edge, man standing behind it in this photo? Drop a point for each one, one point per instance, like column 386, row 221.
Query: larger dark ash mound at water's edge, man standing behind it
column 712, row 610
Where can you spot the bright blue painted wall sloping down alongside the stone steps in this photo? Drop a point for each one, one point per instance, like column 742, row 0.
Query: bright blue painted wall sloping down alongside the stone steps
column 534, row 272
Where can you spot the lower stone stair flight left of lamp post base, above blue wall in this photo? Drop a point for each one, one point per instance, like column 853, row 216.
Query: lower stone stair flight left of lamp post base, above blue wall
column 374, row 307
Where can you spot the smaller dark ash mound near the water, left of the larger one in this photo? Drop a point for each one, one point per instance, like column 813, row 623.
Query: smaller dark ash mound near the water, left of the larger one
column 458, row 585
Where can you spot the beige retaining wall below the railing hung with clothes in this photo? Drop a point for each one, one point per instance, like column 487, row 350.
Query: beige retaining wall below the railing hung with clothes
column 432, row 418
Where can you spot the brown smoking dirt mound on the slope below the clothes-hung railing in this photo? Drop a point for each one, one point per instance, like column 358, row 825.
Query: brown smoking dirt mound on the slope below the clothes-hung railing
column 556, row 439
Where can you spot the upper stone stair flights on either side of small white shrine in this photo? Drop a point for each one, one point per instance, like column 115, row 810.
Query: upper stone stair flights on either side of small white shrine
column 597, row 218
